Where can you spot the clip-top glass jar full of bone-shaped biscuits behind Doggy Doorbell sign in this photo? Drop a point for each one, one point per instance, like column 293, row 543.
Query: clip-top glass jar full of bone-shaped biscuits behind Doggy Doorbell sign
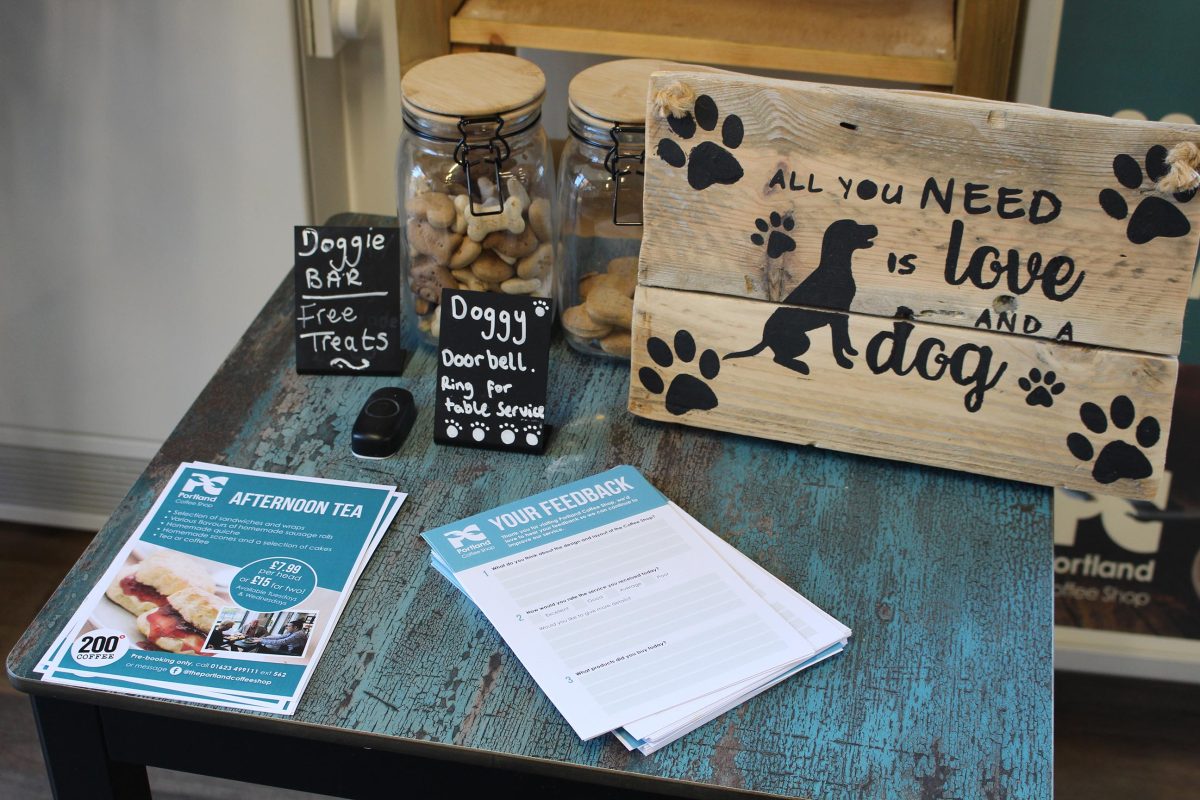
column 475, row 183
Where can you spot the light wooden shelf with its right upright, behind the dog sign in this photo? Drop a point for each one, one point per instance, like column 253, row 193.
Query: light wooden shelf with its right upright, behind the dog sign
column 965, row 46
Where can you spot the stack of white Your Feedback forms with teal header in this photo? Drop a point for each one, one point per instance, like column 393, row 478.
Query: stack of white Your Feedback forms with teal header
column 633, row 617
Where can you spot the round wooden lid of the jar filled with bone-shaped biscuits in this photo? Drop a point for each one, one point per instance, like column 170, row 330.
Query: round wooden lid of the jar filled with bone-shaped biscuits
column 473, row 85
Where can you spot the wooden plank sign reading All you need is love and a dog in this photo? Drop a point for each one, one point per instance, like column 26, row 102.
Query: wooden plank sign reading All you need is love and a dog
column 981, row 286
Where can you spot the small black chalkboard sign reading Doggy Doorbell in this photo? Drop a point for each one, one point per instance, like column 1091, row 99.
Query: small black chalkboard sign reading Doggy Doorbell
column 493, row 360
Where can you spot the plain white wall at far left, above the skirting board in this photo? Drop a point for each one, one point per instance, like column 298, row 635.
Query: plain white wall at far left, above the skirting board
column 152, row 167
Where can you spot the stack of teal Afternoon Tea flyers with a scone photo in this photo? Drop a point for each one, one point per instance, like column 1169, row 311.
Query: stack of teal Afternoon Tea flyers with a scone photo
column 229, row 591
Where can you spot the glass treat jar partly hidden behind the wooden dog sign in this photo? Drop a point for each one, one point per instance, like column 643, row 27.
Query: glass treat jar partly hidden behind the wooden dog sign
column 601, row 204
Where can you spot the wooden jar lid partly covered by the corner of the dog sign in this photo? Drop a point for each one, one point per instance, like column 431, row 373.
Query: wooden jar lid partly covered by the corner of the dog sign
column 614, row 93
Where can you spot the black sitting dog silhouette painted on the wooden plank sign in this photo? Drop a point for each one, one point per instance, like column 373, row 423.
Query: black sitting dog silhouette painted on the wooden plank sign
column 830, row 286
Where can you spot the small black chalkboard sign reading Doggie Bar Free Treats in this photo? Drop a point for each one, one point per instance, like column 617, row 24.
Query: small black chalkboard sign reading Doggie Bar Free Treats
column 349, row 302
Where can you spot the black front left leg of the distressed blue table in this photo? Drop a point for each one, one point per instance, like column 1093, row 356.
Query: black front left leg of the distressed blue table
column 77, row 757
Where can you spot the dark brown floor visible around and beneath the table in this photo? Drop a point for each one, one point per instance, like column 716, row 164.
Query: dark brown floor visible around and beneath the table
column 1114, row 738
